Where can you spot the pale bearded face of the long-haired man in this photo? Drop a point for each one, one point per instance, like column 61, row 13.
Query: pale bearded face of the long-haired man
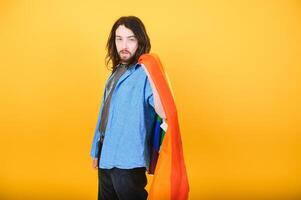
column 126, row 43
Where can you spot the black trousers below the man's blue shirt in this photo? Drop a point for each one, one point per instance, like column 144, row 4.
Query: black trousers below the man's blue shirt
column 122, row 184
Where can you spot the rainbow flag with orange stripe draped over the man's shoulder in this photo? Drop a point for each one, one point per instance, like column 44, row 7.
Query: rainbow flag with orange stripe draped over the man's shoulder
column 167, row 164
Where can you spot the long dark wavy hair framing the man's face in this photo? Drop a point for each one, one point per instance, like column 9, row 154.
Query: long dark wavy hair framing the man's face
column 134, row 24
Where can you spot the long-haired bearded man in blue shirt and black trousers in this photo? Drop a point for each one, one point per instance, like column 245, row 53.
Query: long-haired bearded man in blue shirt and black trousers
column 120, row 147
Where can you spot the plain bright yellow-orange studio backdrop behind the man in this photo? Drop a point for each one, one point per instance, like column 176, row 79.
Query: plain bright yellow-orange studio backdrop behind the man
column 235, row 71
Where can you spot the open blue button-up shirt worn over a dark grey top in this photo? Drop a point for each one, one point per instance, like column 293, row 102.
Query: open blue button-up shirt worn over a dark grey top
column 130, row 121
